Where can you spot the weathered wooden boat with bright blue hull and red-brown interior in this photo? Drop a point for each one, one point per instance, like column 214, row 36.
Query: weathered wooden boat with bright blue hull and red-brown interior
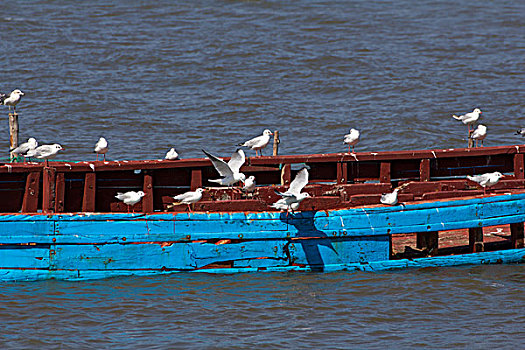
column 62, row 221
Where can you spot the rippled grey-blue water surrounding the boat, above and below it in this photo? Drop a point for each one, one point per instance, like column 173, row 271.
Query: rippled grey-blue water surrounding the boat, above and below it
column 209, row 74
